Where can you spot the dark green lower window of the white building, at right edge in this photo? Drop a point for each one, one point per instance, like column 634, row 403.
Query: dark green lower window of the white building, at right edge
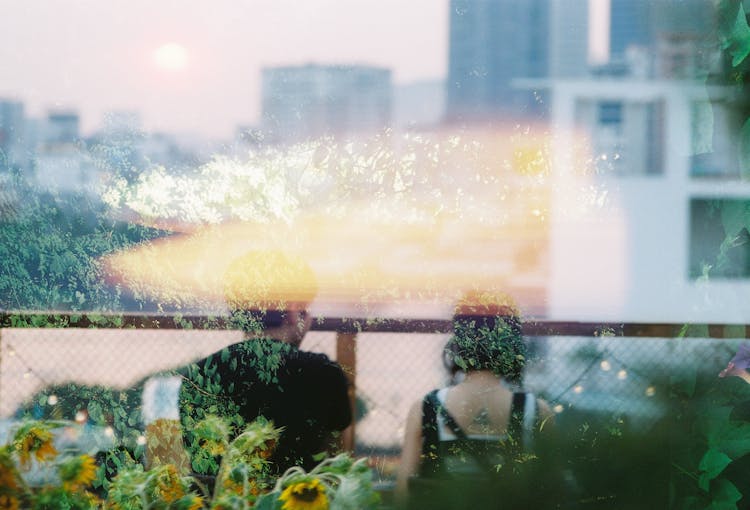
column 719, row 238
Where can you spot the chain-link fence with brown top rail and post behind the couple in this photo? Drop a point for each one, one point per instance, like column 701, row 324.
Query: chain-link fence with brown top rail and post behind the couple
column 344, row 342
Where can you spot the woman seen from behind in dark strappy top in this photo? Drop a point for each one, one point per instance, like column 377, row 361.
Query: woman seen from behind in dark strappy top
column 478, row 430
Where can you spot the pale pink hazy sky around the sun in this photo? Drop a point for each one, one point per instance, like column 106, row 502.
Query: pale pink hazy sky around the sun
column 95, row 57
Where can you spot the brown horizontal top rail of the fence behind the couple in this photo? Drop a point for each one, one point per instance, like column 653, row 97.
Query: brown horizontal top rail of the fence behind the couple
column 365, row 325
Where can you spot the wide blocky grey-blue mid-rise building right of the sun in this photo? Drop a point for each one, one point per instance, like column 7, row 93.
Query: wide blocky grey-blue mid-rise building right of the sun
column 303, row 102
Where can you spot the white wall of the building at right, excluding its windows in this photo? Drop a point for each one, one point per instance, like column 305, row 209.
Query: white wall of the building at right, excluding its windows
column 620, row 244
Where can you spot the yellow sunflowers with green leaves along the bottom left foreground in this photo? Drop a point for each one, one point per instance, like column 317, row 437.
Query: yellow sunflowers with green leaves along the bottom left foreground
column 244, row 479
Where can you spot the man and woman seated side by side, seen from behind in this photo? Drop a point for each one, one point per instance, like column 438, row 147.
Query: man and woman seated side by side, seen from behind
column 478, row 425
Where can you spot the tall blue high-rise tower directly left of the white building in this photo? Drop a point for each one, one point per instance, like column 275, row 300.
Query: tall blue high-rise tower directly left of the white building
column 492, row 44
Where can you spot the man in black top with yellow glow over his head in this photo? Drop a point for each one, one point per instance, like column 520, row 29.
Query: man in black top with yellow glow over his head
column 266, row 374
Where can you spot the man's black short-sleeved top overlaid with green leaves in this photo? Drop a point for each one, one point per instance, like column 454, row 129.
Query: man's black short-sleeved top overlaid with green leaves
column 304, row 392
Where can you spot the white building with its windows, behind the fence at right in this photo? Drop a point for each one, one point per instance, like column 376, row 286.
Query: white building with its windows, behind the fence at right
column 645, row 181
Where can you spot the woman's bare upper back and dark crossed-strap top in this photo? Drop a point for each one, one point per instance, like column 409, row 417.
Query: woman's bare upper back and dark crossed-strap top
column 474, row 438
